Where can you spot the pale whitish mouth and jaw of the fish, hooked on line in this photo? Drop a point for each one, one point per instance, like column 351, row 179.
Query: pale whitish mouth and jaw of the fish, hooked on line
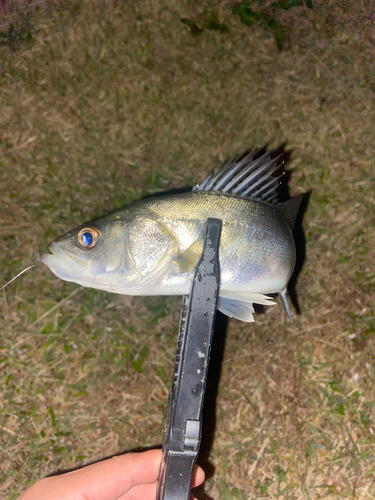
column 63, row 265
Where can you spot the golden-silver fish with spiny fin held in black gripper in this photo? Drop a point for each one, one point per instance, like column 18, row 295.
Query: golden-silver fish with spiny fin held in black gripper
column 152, row 246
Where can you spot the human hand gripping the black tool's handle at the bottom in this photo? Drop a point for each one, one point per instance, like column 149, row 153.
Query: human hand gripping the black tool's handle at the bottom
column 132, row 476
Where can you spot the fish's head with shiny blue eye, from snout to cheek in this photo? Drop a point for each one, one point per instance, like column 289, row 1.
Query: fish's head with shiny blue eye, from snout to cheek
column 93, row 255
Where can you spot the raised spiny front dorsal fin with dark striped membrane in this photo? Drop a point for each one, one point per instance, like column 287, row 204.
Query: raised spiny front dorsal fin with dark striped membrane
column 250, row 177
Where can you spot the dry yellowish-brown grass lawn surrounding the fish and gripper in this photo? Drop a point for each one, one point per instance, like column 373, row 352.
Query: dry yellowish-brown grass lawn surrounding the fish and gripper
column 103, row 104
